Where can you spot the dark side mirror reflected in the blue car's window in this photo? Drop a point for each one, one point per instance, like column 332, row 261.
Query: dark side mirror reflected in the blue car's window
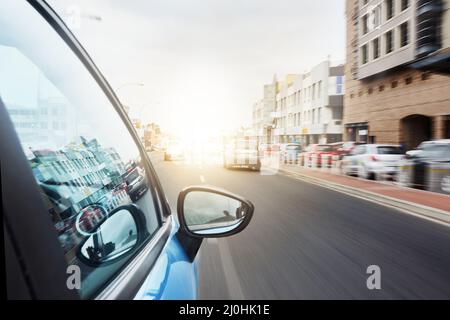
column 114, row 236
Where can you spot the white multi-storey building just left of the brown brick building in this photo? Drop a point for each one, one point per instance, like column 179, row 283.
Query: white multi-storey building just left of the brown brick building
column 309, row 107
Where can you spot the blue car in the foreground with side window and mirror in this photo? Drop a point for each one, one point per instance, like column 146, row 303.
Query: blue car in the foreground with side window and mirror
column 140, row 250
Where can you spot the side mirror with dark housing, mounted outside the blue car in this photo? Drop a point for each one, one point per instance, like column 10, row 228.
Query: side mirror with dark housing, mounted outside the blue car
column 208, row 212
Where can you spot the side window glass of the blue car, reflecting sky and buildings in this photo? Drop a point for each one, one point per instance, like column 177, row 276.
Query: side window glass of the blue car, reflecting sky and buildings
column 82, row 156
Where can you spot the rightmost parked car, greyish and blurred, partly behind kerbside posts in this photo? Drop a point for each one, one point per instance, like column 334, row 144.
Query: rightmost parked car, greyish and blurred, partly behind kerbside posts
column 415, row 166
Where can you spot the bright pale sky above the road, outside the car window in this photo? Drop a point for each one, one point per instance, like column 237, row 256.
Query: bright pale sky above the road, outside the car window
column 203, row 63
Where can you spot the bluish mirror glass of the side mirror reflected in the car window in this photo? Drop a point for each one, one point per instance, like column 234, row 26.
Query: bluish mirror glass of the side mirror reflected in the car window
column 113, row 238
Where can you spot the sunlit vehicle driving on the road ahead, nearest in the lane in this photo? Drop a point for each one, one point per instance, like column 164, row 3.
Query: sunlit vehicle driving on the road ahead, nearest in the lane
column 242, row 152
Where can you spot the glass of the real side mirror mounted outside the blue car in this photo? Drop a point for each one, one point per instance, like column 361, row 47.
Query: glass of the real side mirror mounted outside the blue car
column 212, row 213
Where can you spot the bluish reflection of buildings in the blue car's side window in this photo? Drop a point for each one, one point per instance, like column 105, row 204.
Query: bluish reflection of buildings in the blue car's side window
column 76, row 176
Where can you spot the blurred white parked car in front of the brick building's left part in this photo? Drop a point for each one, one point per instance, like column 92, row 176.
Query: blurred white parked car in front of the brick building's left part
column 371, row 161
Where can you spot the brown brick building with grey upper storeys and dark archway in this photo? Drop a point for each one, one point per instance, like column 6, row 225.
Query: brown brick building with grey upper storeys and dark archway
column 397, row 51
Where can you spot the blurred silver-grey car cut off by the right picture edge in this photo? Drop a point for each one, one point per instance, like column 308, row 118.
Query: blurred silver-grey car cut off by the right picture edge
column 427, row 167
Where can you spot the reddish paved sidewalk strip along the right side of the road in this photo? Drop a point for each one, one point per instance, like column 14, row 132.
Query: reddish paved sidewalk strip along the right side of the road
column 424, row 199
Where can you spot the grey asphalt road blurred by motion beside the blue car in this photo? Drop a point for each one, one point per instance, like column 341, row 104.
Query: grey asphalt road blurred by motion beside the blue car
column 309, row 242
